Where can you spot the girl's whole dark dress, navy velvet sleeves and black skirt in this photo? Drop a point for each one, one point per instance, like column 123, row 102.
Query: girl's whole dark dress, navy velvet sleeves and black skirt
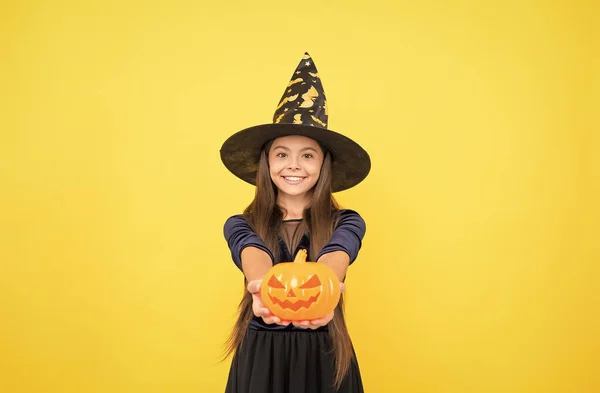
column 288, row 359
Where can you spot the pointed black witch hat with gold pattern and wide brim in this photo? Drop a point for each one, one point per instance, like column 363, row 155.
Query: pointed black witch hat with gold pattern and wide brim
column 302, row 110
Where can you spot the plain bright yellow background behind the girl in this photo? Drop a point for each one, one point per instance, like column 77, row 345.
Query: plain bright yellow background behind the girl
column 479, row 271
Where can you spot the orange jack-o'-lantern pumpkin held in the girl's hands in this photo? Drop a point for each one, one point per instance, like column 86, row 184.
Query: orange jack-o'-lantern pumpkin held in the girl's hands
column 300, row 290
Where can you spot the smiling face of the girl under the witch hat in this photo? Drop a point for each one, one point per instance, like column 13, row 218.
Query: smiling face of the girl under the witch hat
column 295, row 163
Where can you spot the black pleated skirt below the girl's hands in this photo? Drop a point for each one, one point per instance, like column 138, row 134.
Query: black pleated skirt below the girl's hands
column 288, row 362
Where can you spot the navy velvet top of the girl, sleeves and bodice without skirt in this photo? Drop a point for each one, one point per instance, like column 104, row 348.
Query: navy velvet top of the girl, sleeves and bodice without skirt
column 347, row 237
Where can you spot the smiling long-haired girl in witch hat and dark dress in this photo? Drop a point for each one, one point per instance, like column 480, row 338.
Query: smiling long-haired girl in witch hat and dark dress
column 296, row 164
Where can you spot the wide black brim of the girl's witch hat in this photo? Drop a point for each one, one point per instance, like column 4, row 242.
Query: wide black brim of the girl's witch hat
column 240, row 153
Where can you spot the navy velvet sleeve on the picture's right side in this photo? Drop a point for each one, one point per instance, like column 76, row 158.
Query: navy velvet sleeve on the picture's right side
column 347, row 235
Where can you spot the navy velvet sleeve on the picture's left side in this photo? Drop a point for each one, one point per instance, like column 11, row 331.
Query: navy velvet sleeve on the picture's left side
column 240, row 235
